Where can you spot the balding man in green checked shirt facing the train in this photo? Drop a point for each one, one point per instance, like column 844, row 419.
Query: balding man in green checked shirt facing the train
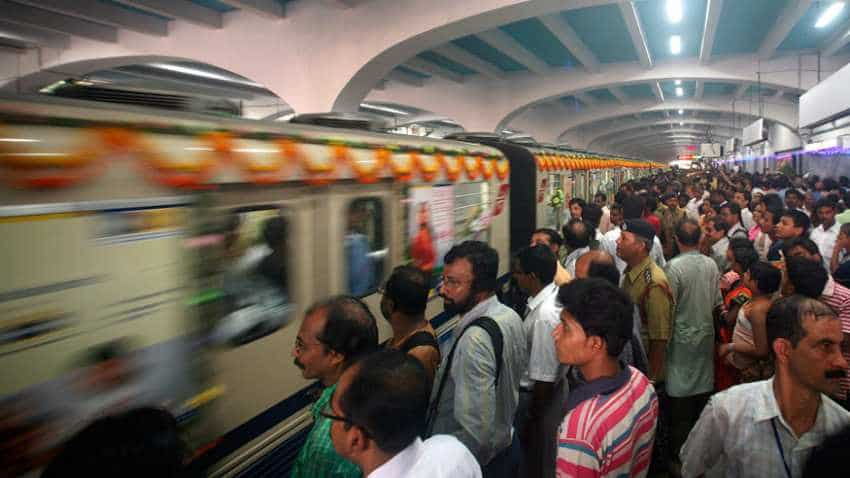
column 333, row 335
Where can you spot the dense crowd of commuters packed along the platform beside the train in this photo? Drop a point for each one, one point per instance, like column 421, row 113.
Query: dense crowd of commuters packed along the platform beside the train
column 696, row 325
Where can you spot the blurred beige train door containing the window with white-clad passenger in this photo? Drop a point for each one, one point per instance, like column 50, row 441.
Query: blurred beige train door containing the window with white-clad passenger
column 263, row 272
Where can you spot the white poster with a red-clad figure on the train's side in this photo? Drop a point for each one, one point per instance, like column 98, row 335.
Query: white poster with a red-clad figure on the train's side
column 430, row 226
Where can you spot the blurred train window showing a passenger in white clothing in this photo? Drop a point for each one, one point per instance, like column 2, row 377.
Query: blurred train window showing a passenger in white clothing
column 255, row 274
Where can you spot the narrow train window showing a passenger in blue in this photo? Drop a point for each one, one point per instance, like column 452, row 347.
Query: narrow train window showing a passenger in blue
column 365, row 247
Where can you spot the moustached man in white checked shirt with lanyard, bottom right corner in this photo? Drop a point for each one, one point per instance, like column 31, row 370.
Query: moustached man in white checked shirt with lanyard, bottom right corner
column 769, row 428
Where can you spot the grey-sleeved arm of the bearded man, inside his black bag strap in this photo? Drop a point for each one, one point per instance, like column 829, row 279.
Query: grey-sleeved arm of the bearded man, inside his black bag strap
column 474, row 374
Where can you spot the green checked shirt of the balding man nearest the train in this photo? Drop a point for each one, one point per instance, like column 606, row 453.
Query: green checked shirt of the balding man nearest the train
column 317, row 458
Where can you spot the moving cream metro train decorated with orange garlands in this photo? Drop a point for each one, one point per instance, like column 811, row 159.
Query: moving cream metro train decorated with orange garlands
column 132, row 243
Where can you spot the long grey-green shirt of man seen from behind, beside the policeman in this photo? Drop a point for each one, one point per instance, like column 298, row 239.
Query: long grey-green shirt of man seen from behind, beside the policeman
column 690, row 354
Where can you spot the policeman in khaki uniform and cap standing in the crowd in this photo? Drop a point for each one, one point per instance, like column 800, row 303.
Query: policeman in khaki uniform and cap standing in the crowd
column 647, row 285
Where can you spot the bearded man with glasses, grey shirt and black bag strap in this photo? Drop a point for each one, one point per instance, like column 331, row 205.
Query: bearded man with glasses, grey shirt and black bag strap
column 476, row 390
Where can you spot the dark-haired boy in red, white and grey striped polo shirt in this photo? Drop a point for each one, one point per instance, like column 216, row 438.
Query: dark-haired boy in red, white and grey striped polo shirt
column 610, row 418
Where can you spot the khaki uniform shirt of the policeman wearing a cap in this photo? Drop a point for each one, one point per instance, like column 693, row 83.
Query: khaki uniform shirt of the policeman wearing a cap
column 658, row 323
